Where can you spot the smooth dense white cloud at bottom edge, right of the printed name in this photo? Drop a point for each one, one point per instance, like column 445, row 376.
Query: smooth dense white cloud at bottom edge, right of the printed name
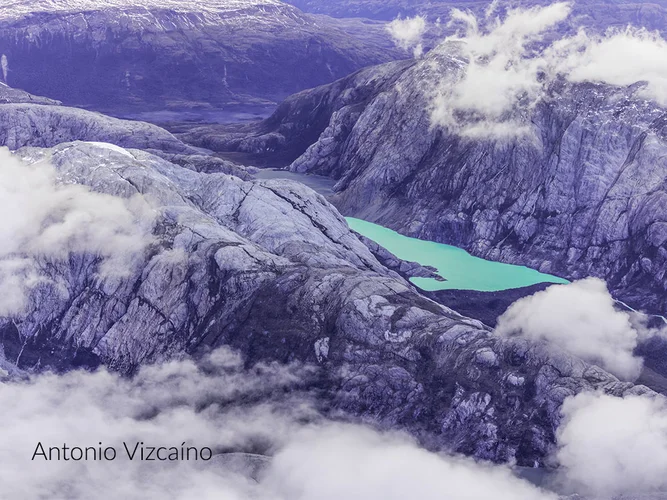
column 358, row 464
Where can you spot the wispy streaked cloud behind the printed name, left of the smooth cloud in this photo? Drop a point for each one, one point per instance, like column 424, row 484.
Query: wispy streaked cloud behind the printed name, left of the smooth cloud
column 164, row 405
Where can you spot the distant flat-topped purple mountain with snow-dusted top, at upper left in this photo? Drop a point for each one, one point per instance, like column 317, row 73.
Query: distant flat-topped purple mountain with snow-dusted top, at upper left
column 146, row 54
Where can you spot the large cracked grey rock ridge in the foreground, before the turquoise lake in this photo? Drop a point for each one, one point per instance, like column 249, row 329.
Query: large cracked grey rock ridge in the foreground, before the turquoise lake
column 270, row 268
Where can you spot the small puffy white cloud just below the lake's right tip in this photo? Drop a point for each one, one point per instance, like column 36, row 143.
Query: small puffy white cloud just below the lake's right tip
column 582, row 319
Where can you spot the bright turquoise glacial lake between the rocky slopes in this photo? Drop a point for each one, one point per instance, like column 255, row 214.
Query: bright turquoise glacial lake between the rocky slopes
column 461, row 270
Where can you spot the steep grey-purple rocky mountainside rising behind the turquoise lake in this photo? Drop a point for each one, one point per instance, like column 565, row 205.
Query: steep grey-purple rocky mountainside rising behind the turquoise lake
column 568, row 203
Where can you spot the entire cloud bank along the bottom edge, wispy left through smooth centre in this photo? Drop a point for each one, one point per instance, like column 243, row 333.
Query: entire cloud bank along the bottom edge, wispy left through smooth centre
column 218, row 404
